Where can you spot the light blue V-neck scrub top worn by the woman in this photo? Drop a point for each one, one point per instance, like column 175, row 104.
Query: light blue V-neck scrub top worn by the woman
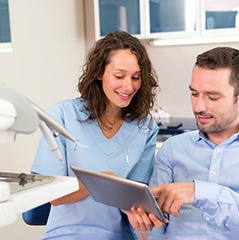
column 130, row 154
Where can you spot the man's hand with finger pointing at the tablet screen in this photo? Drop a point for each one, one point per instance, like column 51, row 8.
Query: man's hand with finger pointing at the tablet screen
column 172, row 196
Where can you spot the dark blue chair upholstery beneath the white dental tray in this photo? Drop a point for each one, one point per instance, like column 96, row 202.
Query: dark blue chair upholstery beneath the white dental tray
column 37, row 216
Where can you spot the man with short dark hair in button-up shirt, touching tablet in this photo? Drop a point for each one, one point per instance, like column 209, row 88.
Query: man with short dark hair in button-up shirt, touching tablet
column 196, row 174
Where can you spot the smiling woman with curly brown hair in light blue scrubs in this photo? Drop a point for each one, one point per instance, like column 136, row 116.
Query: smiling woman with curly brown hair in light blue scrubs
column 112, row 117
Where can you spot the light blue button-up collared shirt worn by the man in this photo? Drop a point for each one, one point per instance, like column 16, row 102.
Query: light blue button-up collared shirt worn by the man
column 215, row 170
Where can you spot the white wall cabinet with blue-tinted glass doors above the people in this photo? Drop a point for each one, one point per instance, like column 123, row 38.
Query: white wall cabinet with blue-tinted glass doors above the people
column 162, row 19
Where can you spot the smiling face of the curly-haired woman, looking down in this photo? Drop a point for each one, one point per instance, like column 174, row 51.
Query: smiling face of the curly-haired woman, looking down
column 122, row 78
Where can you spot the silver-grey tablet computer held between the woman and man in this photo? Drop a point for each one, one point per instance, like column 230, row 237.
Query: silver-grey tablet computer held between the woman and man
column 118, row 192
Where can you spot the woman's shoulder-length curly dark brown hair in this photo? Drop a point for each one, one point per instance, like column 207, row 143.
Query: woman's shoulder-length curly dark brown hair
column 98, row 58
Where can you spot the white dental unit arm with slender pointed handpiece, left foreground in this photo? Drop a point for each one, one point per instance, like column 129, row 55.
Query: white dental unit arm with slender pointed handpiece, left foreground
column 21, row 115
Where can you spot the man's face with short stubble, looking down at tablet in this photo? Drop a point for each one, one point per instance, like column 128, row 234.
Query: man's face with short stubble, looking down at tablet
column 215, row 108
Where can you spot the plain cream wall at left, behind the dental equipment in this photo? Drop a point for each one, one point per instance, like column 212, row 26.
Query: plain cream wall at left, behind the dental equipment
column 48, row 51
